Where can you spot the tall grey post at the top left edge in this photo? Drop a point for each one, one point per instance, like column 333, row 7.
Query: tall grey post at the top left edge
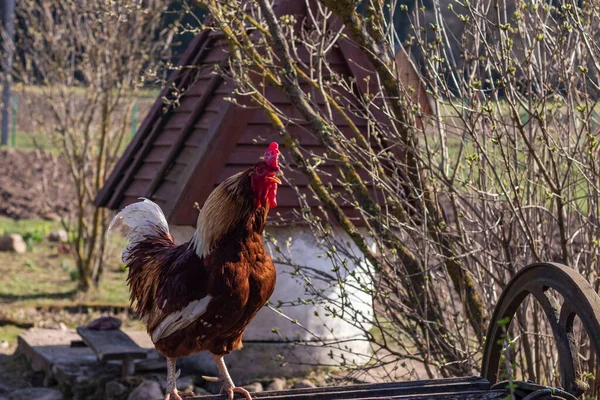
column 9, row 27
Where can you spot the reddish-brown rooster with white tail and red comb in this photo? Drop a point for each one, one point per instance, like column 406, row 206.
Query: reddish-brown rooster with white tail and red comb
column 202, row 294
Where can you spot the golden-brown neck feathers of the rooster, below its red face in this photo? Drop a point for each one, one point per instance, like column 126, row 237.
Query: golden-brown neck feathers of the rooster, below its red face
column 229, row 206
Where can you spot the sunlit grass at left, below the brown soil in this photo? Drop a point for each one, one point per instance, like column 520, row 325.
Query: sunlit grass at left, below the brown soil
column 41, row 279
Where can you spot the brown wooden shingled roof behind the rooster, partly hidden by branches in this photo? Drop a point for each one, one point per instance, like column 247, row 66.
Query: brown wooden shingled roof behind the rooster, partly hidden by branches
column 192, row 142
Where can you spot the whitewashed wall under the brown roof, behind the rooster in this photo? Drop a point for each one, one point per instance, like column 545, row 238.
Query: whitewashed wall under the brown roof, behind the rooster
column 304, row 250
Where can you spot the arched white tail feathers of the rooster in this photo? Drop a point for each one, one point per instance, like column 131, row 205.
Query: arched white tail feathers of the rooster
column 143, row 217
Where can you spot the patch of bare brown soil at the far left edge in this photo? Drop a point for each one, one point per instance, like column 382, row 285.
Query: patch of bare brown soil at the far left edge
column 33, row 184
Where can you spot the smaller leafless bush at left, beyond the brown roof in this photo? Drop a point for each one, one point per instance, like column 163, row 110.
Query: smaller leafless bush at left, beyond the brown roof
column 88, row 58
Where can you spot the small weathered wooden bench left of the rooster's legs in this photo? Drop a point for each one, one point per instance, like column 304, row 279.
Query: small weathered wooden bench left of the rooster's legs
column 113, row 345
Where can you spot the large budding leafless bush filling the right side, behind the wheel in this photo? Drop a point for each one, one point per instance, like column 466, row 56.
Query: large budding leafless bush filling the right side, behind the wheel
column 503, row 174
